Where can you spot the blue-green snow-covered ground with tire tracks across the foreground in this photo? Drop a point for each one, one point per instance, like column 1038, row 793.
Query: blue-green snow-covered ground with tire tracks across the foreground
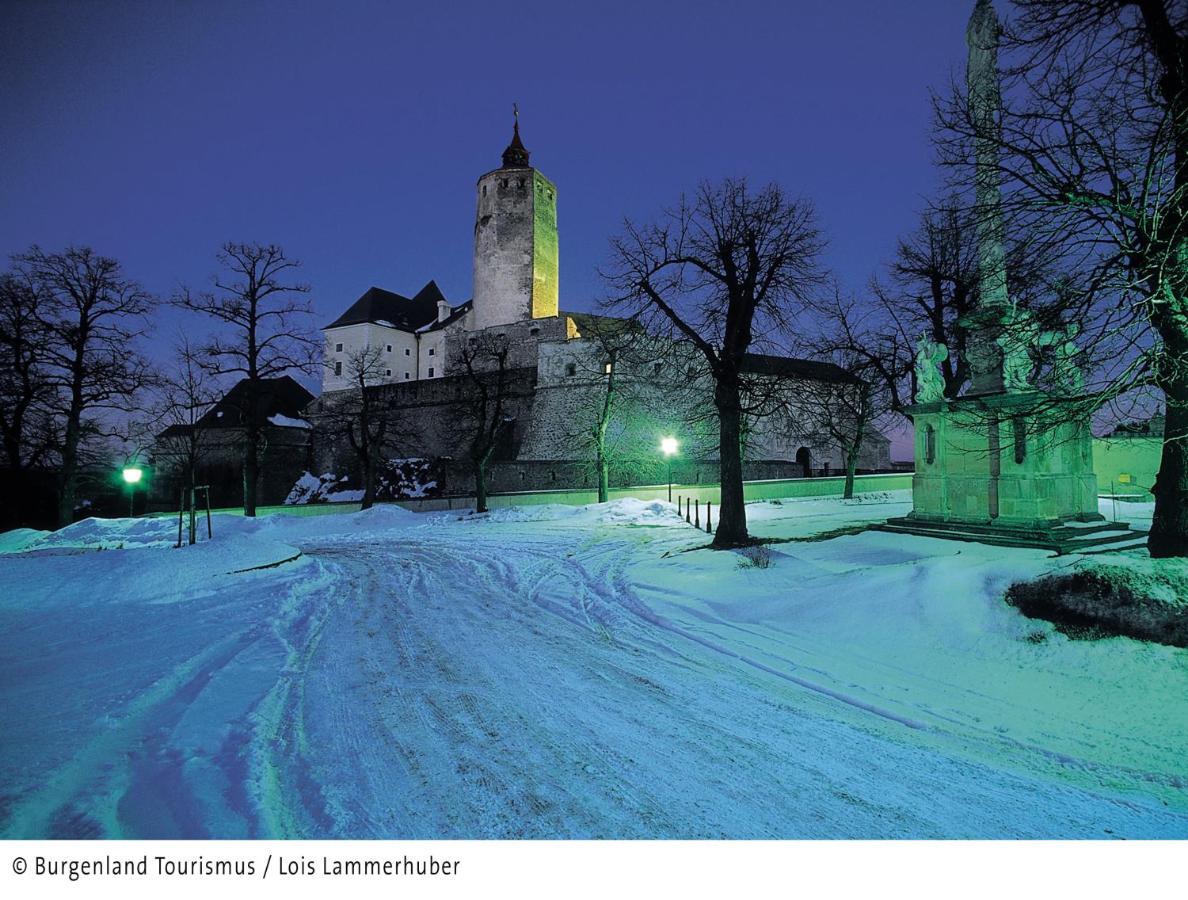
column 566, row 673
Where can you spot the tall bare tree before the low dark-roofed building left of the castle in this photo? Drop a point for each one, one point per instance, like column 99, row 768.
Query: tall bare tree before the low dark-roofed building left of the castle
column 270, row 335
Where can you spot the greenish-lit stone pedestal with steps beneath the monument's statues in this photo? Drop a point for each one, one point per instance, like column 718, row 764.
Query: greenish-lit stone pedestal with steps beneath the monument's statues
column 1007, row 468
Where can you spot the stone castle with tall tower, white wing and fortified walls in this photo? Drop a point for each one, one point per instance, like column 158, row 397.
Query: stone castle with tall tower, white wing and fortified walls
column 557, row 372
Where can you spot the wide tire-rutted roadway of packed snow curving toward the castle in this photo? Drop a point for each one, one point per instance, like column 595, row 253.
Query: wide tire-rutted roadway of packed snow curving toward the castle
column 500, row 744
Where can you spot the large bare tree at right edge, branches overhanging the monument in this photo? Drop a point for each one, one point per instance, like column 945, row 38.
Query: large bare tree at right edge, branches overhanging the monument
column 1092, row 150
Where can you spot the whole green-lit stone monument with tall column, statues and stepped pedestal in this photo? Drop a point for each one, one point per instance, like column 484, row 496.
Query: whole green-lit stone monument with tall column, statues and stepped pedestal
column 1001, row 464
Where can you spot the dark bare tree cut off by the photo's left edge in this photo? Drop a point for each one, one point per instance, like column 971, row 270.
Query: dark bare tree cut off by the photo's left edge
column 27, row 428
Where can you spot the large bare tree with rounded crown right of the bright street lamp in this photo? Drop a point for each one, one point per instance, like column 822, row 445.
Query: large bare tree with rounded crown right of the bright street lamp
column 723, row 272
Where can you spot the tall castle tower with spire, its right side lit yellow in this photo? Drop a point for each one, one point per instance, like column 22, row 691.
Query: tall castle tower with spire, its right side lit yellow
column 515, row 243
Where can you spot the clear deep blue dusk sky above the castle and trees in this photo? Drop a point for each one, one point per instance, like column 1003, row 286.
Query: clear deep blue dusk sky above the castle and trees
column 352, row 134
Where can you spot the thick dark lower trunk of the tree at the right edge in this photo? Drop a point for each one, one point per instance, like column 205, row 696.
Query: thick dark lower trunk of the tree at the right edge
column 1170, row 527
